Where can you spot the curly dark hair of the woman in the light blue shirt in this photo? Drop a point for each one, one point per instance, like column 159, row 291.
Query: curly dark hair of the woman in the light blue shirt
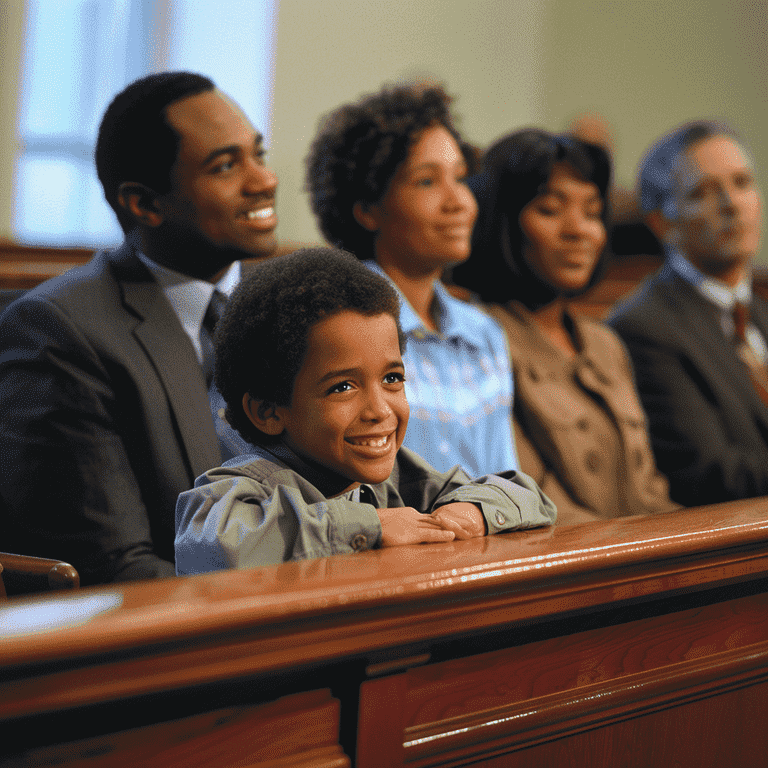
column 359, row 148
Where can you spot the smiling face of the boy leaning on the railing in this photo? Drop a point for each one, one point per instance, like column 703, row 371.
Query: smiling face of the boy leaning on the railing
column 348, row 411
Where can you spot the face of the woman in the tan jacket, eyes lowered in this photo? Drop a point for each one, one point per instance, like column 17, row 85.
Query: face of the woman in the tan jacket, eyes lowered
column 564, row 231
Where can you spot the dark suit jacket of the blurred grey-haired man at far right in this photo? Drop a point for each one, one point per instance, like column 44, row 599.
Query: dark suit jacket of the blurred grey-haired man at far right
column 709, row 428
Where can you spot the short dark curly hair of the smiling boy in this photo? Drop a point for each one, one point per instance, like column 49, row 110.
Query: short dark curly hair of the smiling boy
column 261, row 340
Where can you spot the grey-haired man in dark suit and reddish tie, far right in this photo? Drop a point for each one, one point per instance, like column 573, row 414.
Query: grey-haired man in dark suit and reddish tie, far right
column 699, row 358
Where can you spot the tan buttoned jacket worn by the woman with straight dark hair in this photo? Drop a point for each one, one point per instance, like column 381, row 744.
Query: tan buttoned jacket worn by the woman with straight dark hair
column 580, row 430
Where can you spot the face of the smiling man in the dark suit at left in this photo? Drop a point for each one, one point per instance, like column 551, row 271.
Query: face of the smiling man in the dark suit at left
column 222, row 198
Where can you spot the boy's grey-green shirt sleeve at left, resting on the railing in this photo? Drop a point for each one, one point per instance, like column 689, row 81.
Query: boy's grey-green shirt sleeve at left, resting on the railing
column 240, row 522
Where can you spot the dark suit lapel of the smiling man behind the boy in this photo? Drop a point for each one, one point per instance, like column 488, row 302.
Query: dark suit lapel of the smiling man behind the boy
column 172, row 356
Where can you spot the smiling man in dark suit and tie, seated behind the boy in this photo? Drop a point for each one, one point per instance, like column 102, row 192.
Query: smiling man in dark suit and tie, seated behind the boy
column 104, row 410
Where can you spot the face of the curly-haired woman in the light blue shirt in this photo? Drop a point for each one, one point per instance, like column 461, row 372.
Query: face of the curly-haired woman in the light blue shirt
column 425, row 219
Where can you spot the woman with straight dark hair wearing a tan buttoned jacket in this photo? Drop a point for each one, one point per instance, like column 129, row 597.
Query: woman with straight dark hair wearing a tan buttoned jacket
column 539, row 240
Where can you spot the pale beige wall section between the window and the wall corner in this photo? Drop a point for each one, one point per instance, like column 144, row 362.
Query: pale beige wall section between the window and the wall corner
column 487, row 52
